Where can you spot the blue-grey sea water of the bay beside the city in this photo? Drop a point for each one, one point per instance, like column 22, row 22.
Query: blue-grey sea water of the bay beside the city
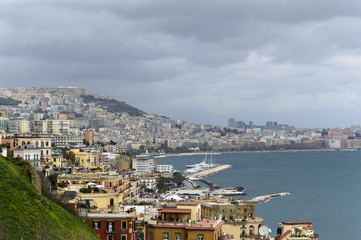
column 325, row 187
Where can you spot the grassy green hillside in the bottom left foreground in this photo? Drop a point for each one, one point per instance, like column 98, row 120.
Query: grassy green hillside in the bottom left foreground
column 25, row 214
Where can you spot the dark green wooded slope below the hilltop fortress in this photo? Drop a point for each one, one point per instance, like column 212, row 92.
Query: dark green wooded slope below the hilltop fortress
column 113, row 105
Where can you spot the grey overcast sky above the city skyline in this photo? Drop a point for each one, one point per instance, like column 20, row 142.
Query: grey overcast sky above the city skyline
column 296, row 62
